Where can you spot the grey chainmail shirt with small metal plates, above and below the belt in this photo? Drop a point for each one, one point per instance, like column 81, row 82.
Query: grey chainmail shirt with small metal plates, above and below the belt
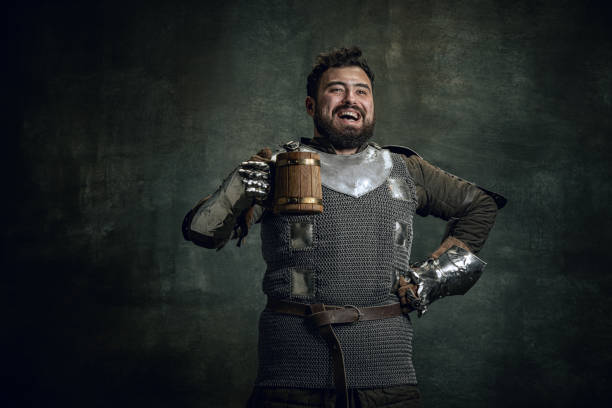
column 350, row 256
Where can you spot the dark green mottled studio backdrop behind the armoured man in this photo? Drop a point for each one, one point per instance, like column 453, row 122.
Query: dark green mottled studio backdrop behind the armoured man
column 127, row 114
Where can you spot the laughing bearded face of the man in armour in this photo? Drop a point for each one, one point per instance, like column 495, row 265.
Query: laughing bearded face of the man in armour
column 344, row 109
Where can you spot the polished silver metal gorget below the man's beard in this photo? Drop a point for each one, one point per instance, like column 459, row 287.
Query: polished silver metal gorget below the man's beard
column 354, row 174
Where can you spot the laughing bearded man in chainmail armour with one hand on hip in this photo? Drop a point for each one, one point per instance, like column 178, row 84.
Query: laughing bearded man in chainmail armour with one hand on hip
column 336, row 330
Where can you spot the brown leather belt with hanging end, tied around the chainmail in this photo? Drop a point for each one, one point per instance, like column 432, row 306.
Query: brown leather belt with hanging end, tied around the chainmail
column 323, row 317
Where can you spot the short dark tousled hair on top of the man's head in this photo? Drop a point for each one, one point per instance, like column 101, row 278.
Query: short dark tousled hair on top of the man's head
column 339, row 57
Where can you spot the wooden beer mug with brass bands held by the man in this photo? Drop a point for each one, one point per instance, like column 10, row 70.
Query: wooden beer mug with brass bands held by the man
column 297, row 183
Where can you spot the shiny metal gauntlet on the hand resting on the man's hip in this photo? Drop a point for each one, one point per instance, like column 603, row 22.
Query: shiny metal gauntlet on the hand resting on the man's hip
column 453, row 273
